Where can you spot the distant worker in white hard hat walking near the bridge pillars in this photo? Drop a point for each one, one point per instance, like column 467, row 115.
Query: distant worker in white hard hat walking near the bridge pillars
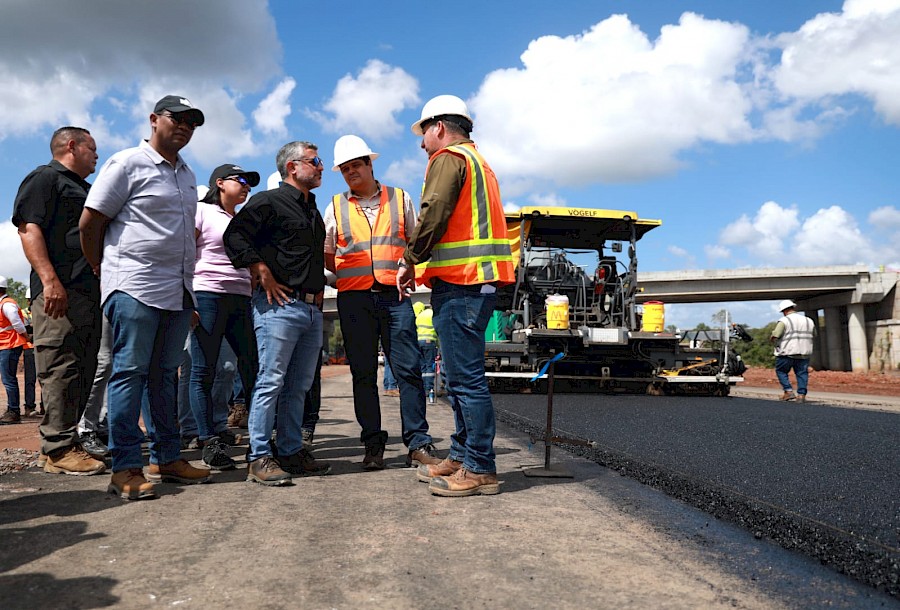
column 793, row 340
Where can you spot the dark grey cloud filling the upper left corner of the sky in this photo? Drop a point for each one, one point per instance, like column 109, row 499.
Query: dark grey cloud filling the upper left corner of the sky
column 122, row 55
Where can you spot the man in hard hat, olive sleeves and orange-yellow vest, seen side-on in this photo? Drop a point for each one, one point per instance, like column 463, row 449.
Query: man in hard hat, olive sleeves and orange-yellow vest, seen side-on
column 461, row 238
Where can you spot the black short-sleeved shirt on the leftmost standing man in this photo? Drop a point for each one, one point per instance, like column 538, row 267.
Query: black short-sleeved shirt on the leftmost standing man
column 52, row 197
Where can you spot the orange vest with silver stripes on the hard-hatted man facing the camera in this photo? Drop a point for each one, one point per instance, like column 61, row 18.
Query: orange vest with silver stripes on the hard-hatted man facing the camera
column 364, row 253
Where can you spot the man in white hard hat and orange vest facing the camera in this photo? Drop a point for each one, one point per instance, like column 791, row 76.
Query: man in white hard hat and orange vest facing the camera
column 366, row 230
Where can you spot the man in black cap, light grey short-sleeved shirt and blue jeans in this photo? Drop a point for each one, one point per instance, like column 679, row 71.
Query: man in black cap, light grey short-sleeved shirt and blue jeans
column 138, row 221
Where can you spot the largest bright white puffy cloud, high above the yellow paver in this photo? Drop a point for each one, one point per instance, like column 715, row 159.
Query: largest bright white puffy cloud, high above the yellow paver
column 610, row 104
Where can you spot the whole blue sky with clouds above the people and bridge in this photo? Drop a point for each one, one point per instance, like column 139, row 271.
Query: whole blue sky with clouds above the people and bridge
column 763, row 133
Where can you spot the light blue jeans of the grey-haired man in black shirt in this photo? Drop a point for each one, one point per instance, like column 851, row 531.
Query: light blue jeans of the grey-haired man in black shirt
column 289, row 339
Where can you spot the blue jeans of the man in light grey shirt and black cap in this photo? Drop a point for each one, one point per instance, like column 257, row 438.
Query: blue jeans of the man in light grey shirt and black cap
column 147, row 349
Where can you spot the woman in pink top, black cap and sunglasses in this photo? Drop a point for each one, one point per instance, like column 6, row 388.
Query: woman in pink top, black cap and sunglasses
column 223, row 310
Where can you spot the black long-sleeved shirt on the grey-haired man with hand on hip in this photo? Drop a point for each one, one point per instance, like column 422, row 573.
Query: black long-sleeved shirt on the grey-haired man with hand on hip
column 284, row 230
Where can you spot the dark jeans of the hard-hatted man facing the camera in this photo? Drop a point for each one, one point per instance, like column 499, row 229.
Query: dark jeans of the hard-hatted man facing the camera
column 367, row 317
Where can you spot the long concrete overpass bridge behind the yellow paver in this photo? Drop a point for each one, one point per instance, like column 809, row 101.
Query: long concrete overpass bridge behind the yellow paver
column 860, row 308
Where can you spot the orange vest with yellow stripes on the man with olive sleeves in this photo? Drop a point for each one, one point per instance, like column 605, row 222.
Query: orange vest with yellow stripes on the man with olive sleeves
column 475, row 249
